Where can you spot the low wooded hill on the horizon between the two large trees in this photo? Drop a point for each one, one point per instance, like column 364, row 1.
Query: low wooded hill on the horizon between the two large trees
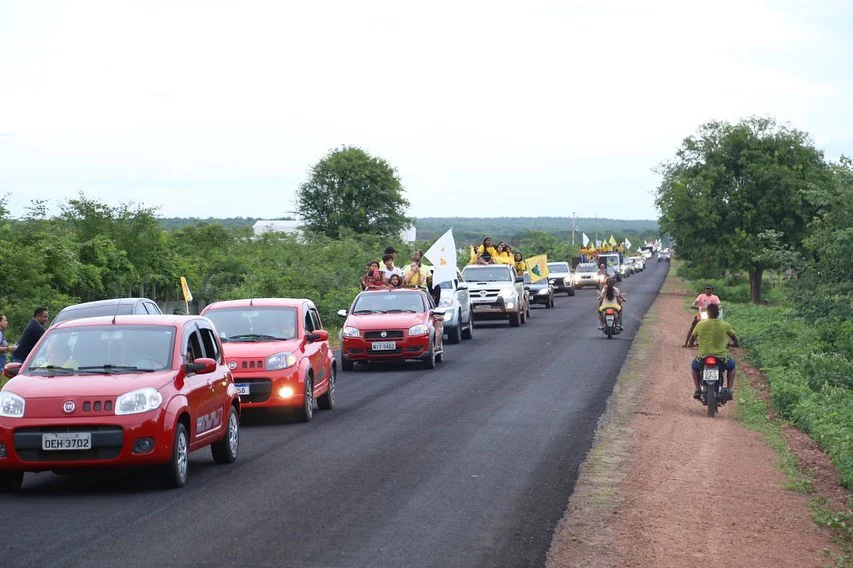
column 509, row 228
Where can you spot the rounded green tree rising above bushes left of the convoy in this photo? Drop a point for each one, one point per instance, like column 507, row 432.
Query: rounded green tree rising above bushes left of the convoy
column 350, row 189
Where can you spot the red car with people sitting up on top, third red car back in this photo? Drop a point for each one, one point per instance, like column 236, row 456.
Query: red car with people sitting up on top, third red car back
column 391, row 325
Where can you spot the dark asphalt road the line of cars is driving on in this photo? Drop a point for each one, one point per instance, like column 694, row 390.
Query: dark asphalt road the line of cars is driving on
column 470, row 464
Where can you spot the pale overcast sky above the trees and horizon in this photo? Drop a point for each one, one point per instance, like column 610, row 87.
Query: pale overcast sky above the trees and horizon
column 485, row 108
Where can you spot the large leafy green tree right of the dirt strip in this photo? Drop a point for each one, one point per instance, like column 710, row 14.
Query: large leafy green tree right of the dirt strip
column 729, row 183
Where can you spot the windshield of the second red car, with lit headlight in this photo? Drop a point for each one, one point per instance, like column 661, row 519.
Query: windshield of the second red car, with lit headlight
column 254, row 323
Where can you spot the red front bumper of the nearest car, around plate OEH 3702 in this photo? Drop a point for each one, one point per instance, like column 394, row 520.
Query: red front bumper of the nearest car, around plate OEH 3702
column 112, row 441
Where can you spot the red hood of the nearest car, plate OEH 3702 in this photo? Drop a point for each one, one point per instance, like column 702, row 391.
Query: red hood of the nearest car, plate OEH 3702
column 65, row 386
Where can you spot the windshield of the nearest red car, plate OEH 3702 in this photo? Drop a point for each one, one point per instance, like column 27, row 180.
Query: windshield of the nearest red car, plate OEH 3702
column 113, row 349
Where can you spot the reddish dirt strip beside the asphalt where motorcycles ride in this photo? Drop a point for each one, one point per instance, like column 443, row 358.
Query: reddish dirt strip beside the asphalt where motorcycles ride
column 664, row 485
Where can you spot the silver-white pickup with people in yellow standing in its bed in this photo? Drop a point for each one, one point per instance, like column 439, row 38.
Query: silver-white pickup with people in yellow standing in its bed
column 497, row 292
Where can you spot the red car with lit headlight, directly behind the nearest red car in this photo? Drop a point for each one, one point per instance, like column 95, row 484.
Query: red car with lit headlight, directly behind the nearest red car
column 278, row 352
